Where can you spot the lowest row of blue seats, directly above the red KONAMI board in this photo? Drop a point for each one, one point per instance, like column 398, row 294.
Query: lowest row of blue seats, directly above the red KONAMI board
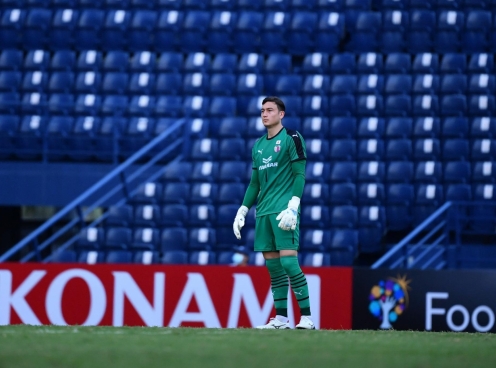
column 309, row 259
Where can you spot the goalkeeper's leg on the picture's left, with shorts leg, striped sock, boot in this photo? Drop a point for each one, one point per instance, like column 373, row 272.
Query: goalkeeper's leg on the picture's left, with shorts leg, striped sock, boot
column 264, row 242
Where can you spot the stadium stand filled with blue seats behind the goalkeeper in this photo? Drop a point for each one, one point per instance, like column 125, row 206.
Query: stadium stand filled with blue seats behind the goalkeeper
column 394, row 98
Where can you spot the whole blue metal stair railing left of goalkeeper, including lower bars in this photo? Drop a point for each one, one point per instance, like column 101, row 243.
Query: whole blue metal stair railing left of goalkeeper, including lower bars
column 32, row 245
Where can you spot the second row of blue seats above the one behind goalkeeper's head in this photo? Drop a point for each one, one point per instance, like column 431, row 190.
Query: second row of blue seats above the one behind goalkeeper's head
column 246, row 63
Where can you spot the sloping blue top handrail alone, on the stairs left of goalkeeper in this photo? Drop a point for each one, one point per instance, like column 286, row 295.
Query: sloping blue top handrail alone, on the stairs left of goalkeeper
column 80, row 199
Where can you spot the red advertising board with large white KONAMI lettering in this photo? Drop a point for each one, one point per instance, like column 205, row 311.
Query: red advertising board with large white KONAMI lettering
column 136, row 295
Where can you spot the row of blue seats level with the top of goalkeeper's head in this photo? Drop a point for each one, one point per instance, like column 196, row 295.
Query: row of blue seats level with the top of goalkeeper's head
column 475, row 105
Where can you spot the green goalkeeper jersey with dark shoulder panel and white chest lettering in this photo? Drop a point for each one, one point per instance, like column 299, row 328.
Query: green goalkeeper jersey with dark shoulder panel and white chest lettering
column 272, row 157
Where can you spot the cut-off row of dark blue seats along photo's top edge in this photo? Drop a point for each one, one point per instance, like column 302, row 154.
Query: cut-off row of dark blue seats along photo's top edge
column 255, row 4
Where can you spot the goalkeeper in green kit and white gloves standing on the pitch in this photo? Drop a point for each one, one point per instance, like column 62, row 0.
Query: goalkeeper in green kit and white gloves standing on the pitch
column 277, row 181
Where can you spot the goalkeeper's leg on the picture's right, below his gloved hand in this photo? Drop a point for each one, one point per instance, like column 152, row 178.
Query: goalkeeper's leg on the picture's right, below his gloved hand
column 288, row 244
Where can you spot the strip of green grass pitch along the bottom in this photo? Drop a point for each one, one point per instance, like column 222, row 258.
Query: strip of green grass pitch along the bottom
column 49, row 346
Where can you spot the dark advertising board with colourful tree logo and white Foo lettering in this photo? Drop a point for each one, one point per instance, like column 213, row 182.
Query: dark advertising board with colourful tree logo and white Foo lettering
column 424, row 300
